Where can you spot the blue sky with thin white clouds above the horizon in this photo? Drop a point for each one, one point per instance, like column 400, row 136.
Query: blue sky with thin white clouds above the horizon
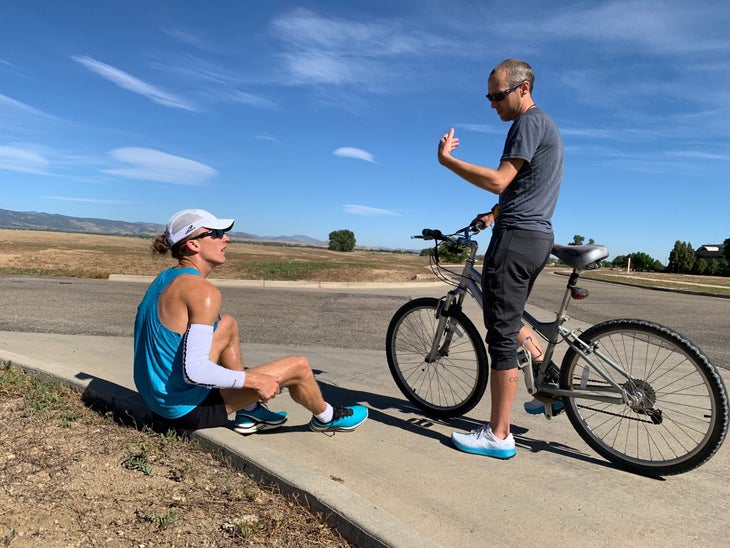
column 307, row 117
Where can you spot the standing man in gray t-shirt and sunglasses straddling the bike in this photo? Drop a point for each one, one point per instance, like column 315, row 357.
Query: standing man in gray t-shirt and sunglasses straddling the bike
column 527, row 182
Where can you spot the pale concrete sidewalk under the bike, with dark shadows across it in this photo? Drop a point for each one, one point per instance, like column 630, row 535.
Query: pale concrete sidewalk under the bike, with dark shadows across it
column 397, row 481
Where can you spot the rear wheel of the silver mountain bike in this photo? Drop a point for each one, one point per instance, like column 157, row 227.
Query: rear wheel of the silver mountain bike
column 680, row 418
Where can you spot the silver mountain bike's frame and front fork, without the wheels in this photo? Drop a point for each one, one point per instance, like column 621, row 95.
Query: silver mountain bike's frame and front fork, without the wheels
column 553, row 332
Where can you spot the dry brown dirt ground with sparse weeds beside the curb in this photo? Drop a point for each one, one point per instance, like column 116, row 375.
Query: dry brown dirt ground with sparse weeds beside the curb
column 72, row 476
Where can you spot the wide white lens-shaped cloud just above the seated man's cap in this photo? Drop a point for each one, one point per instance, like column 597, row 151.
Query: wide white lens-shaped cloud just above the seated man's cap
column 152, row 165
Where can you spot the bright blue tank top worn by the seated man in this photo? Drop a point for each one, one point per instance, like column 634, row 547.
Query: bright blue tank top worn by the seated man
column 158, row 368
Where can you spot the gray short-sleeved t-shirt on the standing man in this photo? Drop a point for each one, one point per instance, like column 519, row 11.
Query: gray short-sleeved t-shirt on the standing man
column 529, row 201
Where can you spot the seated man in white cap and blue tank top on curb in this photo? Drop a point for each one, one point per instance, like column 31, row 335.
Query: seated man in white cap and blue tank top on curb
column 187, row 357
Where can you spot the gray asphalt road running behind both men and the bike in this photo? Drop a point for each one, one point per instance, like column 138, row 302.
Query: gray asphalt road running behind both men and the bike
column 352, row 318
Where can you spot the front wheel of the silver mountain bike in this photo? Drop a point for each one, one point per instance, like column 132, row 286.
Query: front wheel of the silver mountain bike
column 453, row 384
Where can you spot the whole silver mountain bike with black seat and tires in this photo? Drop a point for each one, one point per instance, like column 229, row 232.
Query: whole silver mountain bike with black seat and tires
column 640, row 394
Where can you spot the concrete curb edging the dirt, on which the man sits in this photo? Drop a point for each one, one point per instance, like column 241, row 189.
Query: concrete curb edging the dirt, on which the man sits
column 357, row 519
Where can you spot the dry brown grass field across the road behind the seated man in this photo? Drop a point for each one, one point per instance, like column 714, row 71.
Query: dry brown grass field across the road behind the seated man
column 95, row 256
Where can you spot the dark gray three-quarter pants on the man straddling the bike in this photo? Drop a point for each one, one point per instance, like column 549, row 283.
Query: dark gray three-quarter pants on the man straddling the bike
column 513, row 261
